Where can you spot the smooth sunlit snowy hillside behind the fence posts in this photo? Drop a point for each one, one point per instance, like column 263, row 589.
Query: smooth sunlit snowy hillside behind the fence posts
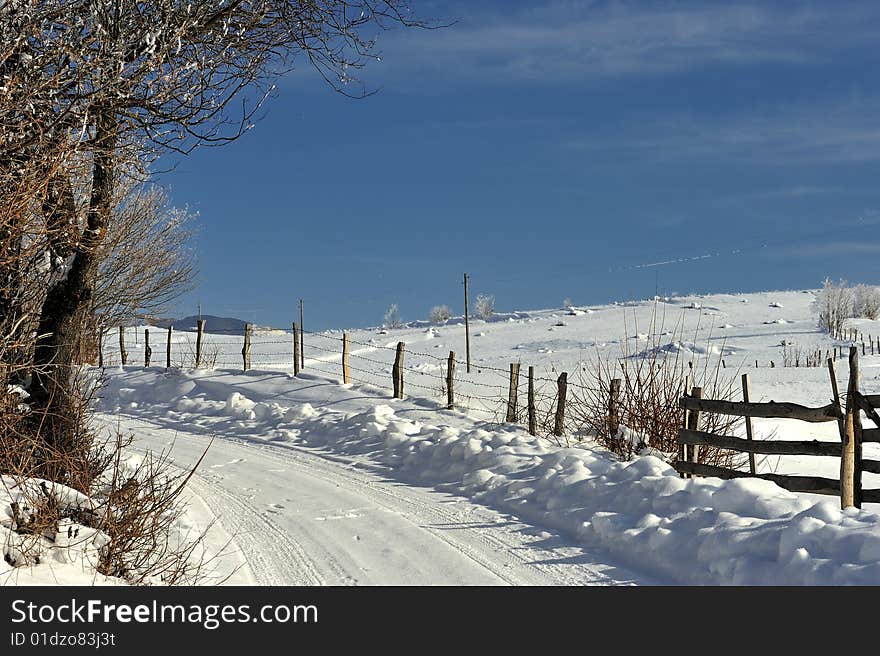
column 738, row 328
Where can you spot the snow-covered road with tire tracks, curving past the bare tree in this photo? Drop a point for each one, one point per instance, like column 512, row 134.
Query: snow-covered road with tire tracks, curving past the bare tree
column 301, row 517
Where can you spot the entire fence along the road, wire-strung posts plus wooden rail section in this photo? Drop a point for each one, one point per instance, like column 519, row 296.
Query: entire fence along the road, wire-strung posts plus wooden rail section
column 848, row 486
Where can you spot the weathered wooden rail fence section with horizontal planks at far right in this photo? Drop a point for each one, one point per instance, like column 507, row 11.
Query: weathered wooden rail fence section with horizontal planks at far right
column 849, row 449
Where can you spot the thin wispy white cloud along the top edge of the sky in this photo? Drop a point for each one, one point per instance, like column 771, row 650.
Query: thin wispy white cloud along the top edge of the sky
column 569, row 41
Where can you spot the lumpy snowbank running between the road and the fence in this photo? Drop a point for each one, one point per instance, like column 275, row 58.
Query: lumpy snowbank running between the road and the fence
column 696, row 531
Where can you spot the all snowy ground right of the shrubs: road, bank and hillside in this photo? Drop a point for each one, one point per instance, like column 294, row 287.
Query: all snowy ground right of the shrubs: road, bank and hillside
column 322, row 483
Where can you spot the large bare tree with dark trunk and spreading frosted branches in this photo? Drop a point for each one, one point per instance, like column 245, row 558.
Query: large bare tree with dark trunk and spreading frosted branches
column 106, row 78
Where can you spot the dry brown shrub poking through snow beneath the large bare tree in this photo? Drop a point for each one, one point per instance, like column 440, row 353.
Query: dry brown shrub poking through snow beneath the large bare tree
column 126, row 517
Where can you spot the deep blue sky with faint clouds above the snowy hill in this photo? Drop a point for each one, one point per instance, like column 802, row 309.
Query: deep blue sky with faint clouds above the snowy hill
column 559, row 149
